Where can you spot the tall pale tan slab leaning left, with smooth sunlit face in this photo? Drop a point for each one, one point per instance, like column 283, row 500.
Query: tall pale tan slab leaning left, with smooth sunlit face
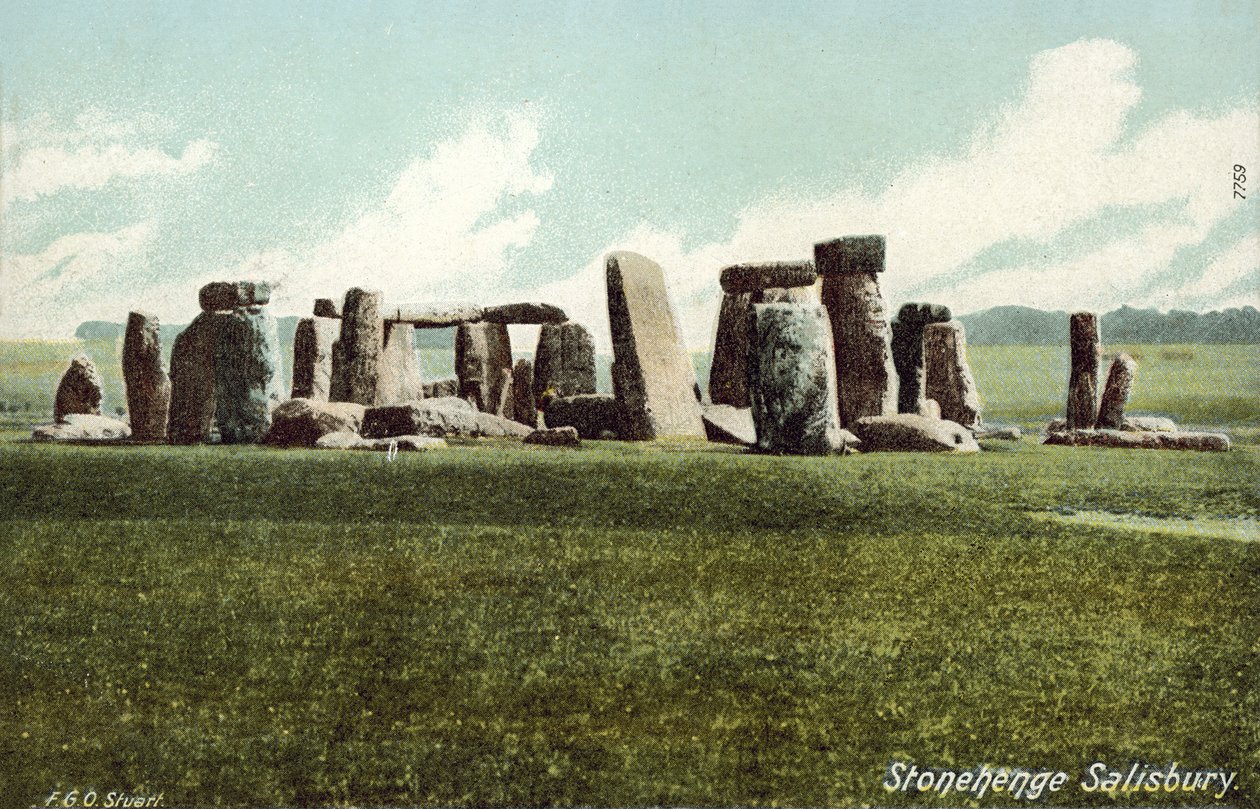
column 652, row 376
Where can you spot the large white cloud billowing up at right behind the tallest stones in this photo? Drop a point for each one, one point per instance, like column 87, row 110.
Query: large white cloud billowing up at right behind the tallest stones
column 1060, row 157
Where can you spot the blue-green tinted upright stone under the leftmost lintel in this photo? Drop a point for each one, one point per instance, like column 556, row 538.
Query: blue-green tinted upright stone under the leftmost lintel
column 248, row 382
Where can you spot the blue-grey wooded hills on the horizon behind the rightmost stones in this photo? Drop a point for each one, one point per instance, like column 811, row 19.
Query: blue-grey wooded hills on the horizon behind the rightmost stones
column 1021, row 326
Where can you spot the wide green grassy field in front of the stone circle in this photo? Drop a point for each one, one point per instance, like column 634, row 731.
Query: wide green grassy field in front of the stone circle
column 616, row 626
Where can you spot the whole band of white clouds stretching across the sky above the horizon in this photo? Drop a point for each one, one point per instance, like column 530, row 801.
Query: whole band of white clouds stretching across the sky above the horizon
column 1058, row 202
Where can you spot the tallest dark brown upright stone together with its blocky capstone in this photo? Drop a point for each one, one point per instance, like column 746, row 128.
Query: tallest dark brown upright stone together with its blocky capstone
column 866, row 375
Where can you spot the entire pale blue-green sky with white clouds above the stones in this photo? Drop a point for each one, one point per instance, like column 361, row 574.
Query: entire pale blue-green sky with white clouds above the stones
column 1075, row 157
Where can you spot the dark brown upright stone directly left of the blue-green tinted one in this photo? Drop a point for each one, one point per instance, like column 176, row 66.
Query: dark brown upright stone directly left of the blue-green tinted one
column 192, row 380
